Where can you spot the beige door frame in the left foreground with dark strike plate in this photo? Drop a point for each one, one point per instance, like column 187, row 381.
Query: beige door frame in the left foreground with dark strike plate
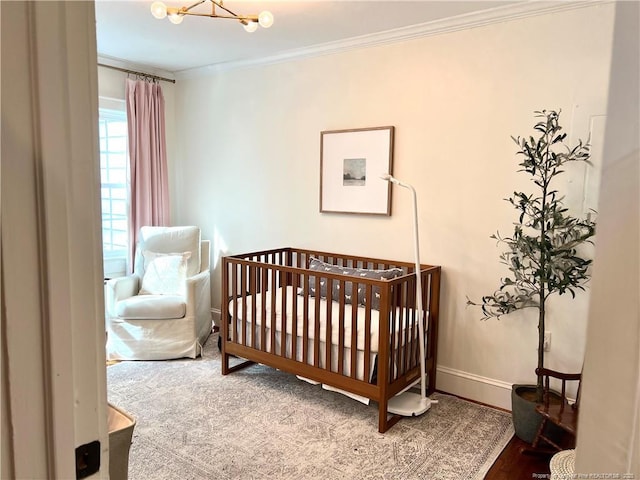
column 53, row 357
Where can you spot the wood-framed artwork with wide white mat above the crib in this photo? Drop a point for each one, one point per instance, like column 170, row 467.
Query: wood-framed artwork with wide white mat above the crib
column 351, row 163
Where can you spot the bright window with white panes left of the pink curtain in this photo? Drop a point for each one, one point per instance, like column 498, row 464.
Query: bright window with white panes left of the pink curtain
column 114, row 175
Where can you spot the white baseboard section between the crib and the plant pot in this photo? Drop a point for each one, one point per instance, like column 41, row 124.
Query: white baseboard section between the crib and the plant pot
column 474, row 387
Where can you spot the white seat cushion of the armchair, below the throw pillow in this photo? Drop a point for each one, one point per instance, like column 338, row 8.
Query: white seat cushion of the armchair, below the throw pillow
column 152, row 307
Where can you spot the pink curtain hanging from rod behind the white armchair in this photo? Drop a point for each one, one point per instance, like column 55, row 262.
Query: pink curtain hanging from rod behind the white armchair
column 147, row 158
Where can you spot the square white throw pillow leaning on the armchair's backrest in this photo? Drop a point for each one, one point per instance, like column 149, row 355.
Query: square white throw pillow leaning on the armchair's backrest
column 164, row 273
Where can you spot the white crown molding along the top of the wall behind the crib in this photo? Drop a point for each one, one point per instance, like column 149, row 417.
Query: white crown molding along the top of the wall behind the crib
column 500, row 14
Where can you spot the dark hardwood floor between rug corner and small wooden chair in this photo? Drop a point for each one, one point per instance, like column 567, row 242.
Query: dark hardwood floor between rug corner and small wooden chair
column 513, row 465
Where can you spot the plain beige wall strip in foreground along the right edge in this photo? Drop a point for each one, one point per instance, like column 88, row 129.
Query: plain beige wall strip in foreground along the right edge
column 609, row 434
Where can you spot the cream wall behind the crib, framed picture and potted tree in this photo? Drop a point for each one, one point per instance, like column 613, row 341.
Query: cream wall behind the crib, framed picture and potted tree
column 249, row 166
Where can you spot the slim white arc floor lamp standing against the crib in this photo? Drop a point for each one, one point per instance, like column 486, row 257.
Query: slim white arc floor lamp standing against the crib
column 407, row 403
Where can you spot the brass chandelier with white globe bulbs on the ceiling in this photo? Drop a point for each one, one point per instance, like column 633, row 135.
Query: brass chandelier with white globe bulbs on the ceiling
column 176, row 15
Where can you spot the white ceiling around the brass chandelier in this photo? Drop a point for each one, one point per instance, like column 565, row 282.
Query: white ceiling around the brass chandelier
column 127, row 32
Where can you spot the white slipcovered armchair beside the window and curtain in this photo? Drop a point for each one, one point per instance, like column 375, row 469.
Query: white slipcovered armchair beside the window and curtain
column 163, row 310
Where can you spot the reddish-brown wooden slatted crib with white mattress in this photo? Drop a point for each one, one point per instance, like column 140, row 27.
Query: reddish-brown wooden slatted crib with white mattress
column 302, row 311
